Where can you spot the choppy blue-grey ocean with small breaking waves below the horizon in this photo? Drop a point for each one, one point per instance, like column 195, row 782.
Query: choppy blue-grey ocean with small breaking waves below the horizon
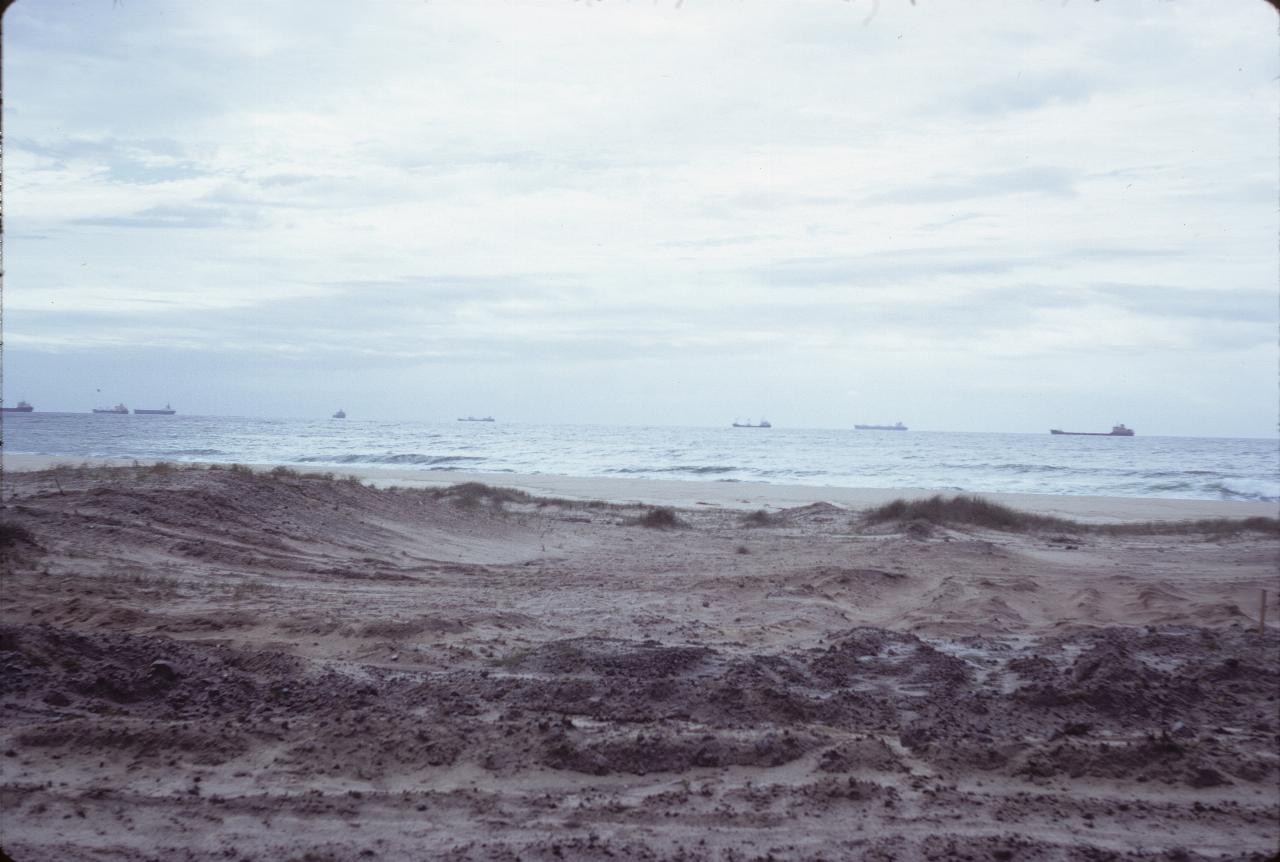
column 1188, row 468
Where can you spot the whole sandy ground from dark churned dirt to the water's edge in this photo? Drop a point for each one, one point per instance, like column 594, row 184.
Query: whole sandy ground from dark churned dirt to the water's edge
column 216, row 664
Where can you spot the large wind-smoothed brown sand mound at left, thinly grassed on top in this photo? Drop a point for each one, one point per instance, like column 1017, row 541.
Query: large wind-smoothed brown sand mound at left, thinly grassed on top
column 254, row 522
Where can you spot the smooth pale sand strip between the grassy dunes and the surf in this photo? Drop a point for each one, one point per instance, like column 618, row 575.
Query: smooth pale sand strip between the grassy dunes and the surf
column 737, row 495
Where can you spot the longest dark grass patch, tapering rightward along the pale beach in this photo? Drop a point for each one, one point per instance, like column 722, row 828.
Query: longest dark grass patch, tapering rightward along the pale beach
column 971, row 510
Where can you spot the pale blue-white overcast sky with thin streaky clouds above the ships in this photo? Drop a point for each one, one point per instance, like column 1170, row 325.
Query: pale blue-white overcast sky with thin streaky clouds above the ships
column 999, row 216
